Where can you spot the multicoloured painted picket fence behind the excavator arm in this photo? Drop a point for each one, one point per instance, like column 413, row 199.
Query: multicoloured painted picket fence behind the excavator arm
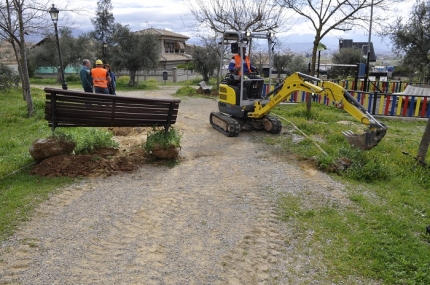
column 384, row 104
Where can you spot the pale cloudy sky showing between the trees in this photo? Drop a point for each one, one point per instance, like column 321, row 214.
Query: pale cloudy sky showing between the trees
column 174, row 15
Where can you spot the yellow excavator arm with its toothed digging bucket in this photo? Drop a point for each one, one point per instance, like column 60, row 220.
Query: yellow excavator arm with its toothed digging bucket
column 341, row 98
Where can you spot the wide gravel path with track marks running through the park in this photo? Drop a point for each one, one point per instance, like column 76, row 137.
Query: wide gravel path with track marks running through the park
column 209, row 220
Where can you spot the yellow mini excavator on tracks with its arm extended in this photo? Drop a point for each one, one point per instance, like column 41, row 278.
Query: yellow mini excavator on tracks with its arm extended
column 241, row 105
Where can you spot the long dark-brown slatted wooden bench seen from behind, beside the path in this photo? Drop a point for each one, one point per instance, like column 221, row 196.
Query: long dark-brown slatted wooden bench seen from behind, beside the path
column 67, row 108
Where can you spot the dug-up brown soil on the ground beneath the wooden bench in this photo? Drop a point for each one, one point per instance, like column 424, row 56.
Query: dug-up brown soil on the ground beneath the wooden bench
column 107, row 161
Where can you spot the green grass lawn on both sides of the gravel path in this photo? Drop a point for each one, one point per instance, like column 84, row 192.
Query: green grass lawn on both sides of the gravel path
column 378, row 235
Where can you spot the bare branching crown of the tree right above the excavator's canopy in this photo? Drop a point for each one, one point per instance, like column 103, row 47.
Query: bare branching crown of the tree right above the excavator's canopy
column 244, row 15
